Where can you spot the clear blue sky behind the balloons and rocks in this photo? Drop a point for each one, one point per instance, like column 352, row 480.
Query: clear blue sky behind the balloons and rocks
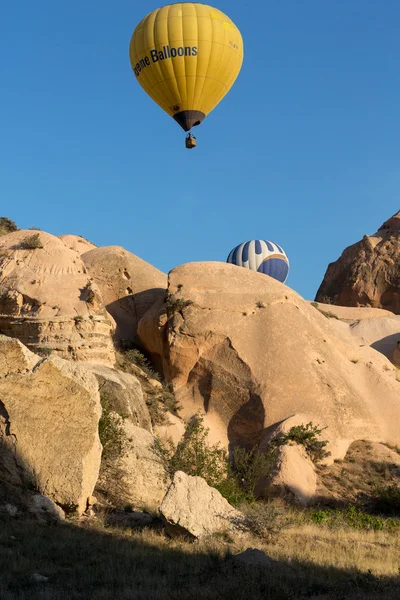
column 304, row 150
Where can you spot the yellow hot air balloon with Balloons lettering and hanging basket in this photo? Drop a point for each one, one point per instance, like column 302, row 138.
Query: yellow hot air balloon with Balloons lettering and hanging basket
column 186, row 56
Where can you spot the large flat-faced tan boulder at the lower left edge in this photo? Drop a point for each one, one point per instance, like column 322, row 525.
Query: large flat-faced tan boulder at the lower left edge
column 49, row 415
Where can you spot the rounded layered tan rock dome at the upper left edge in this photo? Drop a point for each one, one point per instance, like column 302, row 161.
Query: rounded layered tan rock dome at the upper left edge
column 48, row 301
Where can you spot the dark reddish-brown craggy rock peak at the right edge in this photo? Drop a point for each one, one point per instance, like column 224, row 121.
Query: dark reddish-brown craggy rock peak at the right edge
column 368, row 272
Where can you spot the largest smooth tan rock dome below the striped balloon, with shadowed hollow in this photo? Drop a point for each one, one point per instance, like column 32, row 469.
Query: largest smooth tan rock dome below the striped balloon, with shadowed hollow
column 250, row 353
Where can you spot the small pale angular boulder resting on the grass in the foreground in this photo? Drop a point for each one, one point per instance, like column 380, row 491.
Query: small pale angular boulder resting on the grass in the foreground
column 191, row 507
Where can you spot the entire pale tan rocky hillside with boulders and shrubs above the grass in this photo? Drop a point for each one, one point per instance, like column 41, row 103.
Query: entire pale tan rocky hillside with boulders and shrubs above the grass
column 120, row 386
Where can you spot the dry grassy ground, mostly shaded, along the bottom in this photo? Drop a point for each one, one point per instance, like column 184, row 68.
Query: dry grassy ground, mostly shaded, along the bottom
column 88, row 560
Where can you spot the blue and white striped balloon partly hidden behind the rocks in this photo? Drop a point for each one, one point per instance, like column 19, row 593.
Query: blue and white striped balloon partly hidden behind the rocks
column 261, row 256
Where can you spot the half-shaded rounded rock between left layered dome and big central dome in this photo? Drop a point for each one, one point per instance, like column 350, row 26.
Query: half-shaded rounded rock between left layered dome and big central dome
column 128, row 284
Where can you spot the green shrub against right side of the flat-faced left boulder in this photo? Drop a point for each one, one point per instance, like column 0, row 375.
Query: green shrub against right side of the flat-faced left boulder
column 111, row 431
